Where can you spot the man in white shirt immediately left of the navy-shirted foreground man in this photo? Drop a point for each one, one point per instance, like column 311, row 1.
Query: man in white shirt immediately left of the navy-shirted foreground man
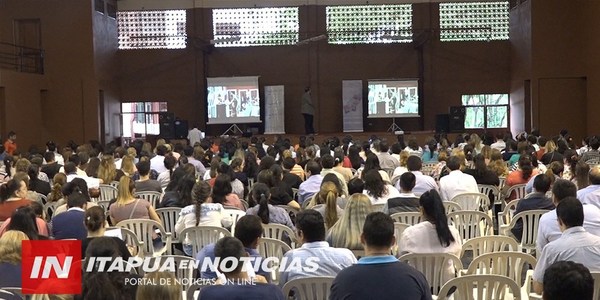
column 310, row 227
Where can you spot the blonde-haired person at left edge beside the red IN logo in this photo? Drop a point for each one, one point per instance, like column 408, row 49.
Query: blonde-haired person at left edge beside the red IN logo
column 10, row 258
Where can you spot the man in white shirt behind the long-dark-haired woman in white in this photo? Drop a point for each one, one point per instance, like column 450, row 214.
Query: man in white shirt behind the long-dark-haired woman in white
column 456, row 182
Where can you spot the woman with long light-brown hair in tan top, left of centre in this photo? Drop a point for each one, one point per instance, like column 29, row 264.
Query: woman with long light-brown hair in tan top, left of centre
column 128, row 207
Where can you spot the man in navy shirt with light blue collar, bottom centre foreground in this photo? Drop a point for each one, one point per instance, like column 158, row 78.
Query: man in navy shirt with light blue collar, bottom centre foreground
column 379, row 275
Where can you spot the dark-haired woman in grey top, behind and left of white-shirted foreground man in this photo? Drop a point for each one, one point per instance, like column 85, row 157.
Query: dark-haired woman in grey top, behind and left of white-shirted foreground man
column 261, row 206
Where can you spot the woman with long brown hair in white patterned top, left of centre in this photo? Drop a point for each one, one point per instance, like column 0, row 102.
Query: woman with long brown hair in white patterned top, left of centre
column 202, row 213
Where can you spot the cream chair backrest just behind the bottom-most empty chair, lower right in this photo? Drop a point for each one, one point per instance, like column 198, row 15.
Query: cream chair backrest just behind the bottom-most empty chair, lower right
column 505, row 263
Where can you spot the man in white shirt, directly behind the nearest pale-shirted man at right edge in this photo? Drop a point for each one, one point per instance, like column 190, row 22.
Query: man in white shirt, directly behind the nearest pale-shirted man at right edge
column 548, row 229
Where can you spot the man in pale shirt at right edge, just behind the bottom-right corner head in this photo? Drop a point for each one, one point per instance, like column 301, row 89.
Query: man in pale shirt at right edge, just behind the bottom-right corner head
column 575, row 244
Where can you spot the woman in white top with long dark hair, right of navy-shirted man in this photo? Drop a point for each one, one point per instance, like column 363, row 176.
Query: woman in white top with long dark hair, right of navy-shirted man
column 433, row 235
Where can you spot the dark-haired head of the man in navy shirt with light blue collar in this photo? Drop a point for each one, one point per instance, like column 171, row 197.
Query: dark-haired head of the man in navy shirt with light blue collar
column 378, row 231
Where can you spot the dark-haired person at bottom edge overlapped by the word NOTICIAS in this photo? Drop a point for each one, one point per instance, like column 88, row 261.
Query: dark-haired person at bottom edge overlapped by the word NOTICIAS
column 237, row 284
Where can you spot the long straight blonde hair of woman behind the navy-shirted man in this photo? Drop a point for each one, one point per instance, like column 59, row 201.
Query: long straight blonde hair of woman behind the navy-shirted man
column 345, row 233
